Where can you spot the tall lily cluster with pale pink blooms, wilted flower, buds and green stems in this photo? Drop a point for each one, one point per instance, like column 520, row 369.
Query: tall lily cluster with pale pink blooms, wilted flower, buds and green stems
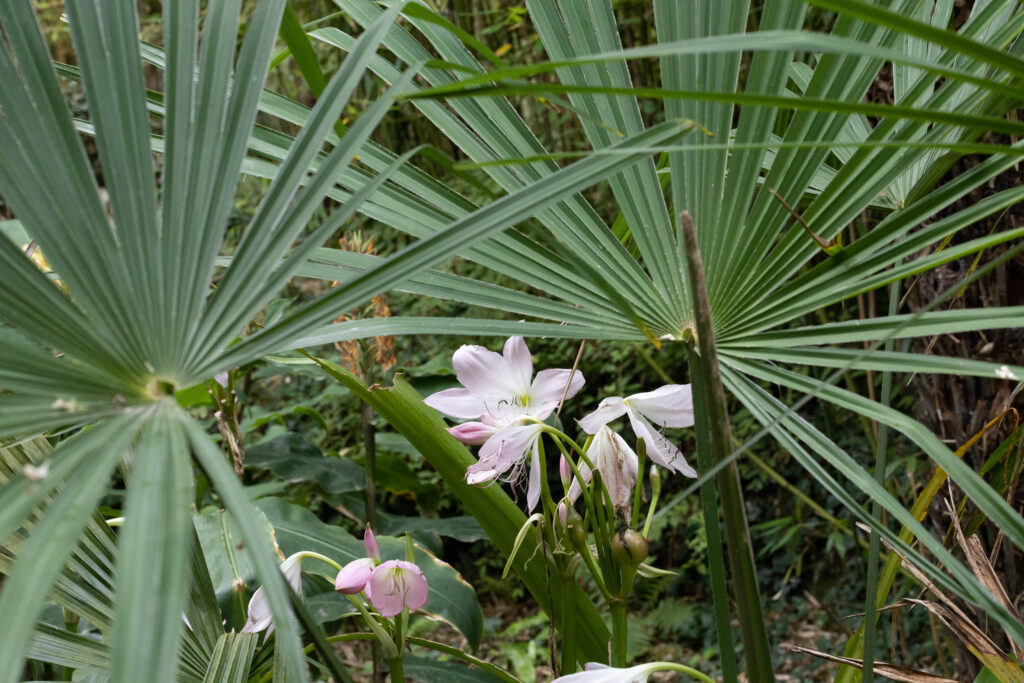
column 506, row 412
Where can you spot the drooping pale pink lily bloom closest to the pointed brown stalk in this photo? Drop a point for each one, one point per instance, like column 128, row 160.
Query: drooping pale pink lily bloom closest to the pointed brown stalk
column 671, row 406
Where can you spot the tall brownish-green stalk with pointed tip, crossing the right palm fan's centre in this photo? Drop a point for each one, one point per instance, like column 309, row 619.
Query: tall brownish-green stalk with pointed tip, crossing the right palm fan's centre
column 713, row 435
